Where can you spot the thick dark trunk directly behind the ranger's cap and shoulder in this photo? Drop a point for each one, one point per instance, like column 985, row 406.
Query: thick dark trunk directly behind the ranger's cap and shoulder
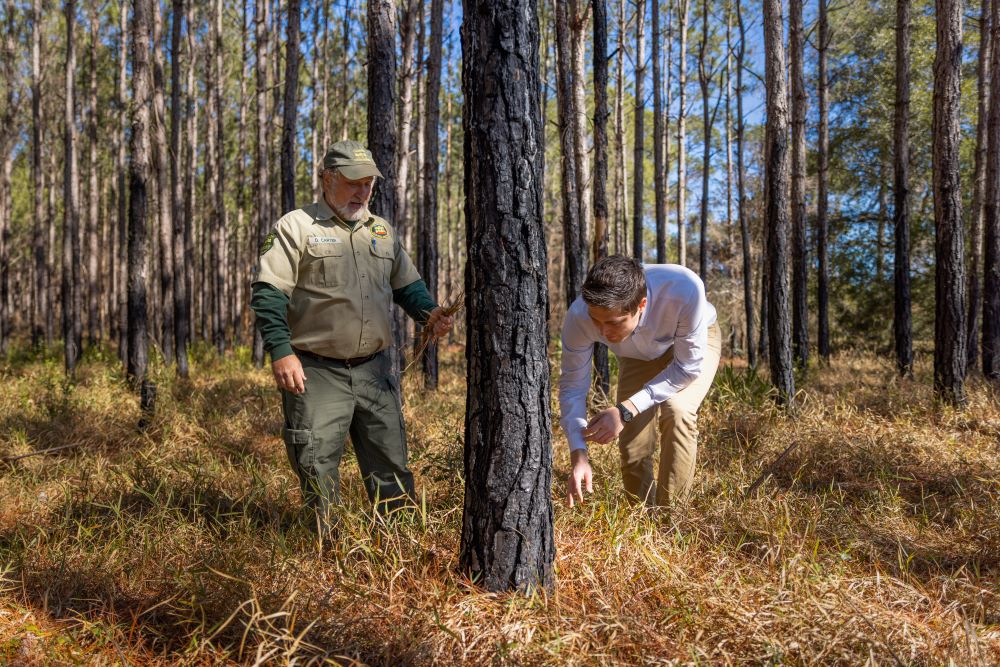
column 382, row 130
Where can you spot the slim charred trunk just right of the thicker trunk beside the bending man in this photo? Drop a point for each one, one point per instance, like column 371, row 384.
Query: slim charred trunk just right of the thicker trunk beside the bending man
column 800, row 307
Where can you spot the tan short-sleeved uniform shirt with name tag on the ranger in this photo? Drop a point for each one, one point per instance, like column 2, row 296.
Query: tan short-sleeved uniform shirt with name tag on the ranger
column 339, row 282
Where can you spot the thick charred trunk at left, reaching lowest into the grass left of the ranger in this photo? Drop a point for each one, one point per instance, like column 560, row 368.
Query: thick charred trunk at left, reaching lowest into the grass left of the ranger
column 138, row 176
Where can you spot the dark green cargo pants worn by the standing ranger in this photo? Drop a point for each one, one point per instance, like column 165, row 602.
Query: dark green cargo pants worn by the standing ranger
column 361, row 401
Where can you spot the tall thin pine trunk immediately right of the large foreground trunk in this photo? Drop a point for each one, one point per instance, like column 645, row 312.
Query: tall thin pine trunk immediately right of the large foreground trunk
column 574, row 264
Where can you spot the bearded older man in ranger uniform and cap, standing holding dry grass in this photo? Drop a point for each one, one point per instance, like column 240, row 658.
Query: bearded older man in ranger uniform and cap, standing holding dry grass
column 327, row 276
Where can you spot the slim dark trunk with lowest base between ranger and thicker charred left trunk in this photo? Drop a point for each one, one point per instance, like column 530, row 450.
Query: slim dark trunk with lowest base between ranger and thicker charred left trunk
column 180, row 288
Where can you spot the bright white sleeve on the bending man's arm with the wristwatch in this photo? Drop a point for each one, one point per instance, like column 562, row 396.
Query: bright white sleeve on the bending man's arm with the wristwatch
column 690, row 344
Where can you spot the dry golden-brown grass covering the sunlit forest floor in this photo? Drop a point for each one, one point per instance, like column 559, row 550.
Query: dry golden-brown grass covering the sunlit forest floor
column 877, row 540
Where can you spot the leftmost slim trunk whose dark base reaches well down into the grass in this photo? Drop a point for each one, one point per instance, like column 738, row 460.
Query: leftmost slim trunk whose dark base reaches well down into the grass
column 71, row 212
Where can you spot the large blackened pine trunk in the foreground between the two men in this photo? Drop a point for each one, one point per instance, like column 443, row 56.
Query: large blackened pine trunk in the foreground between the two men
column 507, row 538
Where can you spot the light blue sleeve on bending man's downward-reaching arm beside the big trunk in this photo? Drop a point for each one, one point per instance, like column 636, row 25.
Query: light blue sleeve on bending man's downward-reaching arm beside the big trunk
column 574, row 380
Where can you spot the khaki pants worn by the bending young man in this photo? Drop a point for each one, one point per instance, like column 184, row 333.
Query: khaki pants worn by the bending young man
column 678, row 419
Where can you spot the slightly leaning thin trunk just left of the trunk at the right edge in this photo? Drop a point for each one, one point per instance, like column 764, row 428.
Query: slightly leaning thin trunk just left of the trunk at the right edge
column 983, row 74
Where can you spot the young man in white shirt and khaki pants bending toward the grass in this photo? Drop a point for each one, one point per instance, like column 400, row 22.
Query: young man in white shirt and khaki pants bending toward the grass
column 663, row 330
